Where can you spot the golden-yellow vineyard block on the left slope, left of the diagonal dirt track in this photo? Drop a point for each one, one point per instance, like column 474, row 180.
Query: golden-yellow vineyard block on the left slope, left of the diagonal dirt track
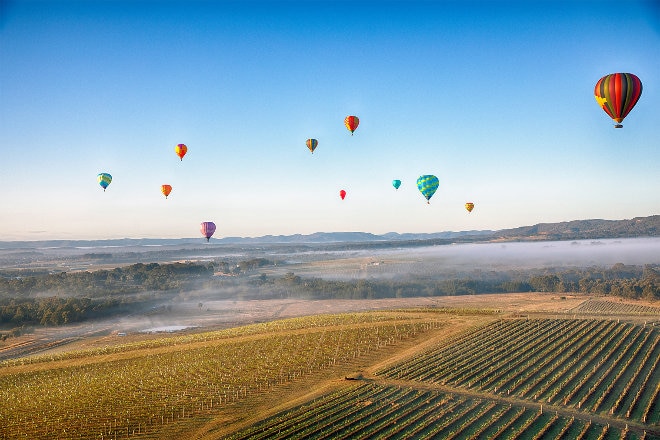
column 122, row 397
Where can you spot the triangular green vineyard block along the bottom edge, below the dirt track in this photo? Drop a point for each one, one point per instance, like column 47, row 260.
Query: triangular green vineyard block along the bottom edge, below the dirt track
column 378, row 411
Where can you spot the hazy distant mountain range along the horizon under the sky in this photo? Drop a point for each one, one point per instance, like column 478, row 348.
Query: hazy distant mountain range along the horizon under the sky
column 572, row 230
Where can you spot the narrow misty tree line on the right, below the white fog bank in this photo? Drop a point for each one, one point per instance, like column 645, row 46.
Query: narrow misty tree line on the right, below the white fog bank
column 633, row 282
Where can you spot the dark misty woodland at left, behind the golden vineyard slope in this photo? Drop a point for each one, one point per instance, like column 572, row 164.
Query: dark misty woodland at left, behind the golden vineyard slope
column 64, row 298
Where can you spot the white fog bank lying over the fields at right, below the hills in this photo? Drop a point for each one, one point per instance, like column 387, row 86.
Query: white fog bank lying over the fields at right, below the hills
column 452, row 260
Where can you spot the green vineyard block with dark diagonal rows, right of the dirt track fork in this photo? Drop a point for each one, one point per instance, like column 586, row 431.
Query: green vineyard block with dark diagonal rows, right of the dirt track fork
column 595, row 365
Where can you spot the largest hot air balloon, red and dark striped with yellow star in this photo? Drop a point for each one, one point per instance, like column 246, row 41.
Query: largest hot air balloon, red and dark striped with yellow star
column 617, row 94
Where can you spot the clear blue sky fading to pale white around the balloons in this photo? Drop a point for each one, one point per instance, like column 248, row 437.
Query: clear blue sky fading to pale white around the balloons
column 495, row 98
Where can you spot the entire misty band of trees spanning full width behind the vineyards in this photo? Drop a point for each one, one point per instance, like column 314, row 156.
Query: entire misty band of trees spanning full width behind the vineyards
column 63, row 298
